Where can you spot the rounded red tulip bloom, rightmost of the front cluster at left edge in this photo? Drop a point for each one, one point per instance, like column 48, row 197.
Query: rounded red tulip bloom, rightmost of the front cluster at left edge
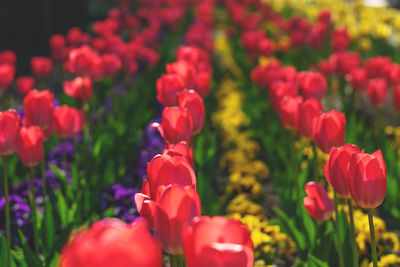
column 68, row 121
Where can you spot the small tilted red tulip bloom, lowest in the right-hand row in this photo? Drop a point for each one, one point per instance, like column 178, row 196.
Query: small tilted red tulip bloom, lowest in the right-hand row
column 317, row 203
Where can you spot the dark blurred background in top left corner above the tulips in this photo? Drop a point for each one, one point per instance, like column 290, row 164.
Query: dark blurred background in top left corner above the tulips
column 26, row 25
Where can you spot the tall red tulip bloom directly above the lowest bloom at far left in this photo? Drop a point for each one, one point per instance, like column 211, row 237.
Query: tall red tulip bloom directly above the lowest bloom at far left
column 39, row 108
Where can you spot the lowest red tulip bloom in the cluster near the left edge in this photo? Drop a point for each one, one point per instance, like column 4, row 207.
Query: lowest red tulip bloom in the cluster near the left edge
column 30, row 145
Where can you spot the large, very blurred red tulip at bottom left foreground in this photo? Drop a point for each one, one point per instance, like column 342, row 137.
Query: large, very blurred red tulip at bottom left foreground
column 111, row 242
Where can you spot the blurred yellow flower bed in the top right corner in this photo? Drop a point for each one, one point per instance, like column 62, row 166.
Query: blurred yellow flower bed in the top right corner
column 361, row 20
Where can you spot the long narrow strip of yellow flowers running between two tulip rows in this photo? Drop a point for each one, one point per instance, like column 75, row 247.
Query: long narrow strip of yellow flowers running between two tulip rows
column 246, row 172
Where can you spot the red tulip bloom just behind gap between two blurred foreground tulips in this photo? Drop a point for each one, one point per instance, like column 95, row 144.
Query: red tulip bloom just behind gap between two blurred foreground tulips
column 175, row 209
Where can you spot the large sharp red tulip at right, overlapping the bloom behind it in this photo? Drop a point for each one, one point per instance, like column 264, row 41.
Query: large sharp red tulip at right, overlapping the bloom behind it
column 367, row 179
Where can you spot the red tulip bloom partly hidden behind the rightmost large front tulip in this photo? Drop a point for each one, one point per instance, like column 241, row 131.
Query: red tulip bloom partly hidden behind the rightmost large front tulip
column 337, row 168
